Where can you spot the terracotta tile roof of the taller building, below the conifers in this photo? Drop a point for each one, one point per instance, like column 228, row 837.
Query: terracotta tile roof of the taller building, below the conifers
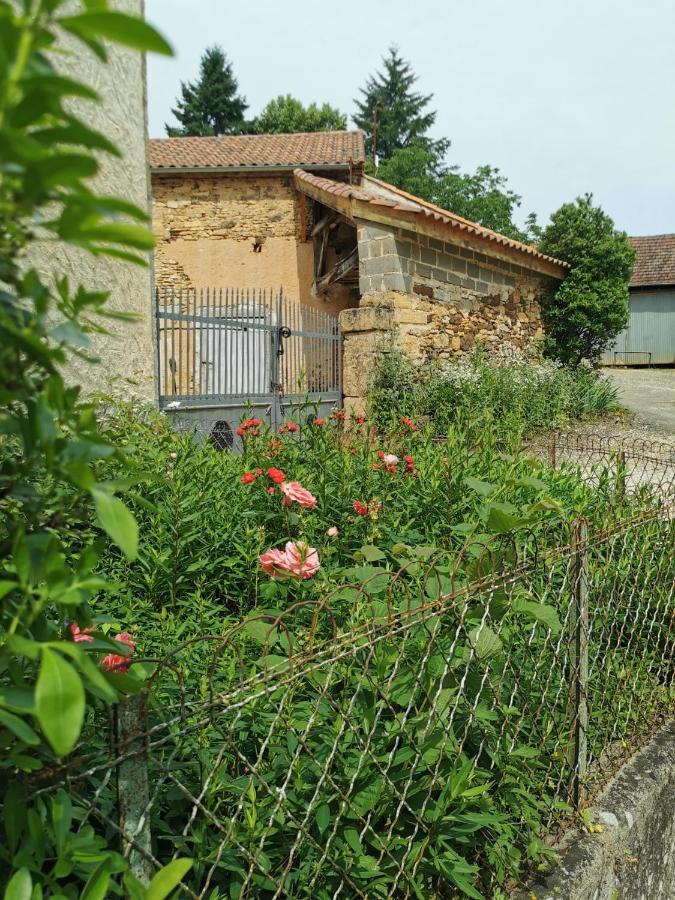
column 321, row 148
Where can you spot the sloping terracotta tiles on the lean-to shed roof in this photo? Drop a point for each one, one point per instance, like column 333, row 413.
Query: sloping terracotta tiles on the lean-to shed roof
column 379, row 195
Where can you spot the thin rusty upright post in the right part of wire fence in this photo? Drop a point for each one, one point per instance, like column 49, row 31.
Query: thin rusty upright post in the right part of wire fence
column 578, row 643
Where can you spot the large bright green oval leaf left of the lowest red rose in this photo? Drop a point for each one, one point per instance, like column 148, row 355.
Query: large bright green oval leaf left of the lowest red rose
column 60, row 702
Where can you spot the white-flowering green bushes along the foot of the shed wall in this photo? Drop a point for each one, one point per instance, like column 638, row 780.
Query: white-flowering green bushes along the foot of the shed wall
column 512, row 395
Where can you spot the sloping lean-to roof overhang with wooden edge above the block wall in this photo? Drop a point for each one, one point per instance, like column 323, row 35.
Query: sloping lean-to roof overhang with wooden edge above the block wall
column 387, row 205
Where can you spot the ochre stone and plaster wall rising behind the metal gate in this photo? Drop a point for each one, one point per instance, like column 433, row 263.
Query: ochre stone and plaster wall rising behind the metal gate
column 233, row 230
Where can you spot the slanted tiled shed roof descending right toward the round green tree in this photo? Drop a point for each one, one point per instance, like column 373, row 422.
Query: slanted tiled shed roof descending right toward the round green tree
column 374, row 198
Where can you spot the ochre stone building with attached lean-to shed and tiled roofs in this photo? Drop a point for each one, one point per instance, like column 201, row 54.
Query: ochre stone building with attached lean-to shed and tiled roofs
column 298, row 210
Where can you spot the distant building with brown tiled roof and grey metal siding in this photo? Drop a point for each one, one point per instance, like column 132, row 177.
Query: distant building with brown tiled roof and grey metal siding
column 649, row 338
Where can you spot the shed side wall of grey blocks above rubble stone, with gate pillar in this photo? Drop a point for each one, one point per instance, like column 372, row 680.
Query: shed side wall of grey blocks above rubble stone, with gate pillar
column 435, row 300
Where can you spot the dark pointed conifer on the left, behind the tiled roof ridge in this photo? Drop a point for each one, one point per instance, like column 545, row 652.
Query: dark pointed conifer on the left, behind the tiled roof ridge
column 211, row 105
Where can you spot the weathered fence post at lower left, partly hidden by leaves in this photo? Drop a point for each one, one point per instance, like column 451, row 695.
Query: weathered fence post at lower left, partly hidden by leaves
column 133, row 793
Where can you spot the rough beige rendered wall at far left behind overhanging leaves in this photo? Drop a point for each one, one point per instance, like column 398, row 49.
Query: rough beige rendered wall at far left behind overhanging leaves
column 126, row 354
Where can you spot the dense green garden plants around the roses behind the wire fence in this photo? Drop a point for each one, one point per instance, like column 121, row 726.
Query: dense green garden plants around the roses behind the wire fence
column 335, row 747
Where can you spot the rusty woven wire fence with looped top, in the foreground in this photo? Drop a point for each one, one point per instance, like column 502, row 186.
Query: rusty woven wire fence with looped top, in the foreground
column 419, row 732
